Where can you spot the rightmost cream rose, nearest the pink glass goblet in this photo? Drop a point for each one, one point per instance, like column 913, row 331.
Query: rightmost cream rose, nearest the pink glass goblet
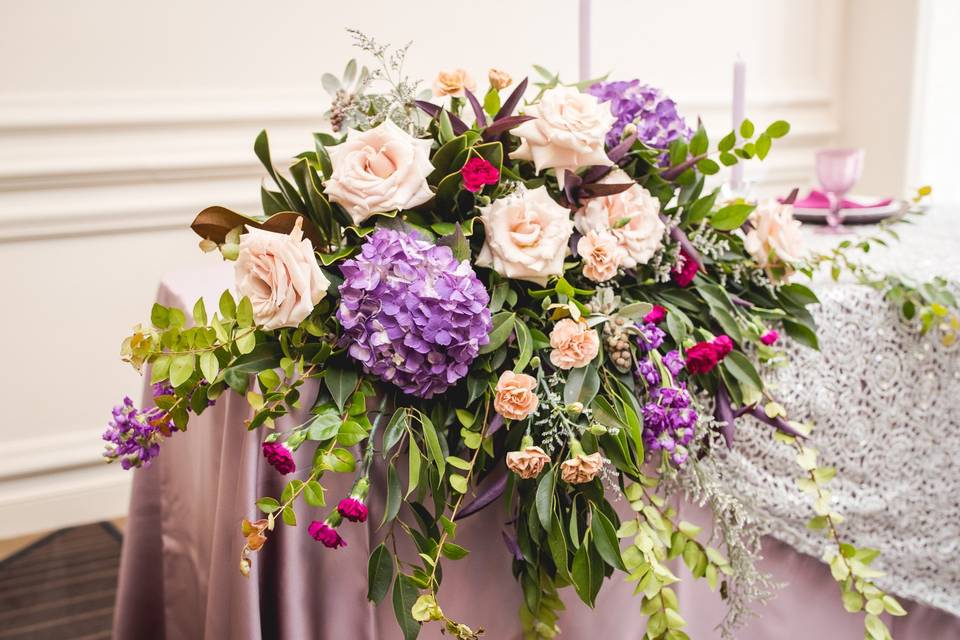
column 775, row 237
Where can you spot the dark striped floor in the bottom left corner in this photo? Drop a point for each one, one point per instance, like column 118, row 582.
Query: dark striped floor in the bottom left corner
column 61, row 586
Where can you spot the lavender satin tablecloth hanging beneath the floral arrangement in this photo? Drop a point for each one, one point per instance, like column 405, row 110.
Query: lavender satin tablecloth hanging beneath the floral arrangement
column 180, row 576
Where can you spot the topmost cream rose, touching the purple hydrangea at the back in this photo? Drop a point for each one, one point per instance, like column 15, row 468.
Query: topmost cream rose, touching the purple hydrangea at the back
column 567, row 132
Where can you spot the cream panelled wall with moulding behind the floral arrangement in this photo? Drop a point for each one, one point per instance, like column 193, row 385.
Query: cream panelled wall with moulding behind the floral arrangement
column 120, row 120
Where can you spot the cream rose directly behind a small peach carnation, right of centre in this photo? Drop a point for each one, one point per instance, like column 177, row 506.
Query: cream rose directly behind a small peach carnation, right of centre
column 633, row 216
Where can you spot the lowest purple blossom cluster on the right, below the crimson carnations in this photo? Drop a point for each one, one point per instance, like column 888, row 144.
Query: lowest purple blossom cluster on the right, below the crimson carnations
column 669, row 421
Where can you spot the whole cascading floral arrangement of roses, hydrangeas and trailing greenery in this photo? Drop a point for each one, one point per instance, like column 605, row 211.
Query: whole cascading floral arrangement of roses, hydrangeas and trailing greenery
column 536, row 303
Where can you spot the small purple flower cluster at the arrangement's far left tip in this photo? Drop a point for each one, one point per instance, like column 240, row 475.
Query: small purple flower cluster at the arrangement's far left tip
column 133, row 436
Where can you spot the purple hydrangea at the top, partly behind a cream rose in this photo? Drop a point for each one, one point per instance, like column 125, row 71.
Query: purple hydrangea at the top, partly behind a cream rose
column 655, row 115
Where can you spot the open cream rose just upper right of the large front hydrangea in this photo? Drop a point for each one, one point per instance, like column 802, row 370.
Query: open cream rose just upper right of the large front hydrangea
column 527, row 235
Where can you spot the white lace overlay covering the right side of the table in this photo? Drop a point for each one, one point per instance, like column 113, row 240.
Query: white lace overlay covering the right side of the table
column 886, row 407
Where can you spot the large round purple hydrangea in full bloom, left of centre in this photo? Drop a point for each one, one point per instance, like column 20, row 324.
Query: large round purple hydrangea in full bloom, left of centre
column 411, row 313
